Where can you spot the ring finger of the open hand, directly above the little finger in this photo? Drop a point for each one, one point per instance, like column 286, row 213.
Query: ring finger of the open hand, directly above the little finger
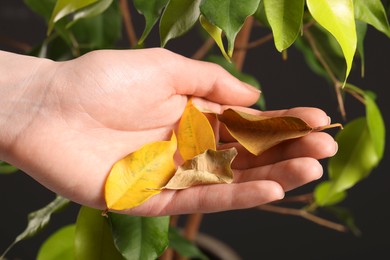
column 290, row 174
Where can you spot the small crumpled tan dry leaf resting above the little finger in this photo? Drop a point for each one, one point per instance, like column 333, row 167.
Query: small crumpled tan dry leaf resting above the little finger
column 210, row 167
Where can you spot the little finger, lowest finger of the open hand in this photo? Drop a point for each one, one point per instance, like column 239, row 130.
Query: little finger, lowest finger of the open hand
column 211, row 198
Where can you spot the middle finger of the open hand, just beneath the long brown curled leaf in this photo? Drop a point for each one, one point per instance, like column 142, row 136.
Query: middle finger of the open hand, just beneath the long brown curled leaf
column 315, row 145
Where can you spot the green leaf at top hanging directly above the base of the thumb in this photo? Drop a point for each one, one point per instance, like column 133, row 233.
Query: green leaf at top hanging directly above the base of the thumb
column 178, row 17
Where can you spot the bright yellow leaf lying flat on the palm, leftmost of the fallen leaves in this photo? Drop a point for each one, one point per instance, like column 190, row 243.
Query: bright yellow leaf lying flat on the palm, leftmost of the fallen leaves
column 140, row 175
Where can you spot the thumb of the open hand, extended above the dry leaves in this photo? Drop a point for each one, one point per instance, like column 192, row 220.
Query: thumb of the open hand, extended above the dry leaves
column 208, row 80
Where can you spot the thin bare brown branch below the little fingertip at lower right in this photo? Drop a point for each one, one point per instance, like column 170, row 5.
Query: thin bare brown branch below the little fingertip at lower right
column 304, row 214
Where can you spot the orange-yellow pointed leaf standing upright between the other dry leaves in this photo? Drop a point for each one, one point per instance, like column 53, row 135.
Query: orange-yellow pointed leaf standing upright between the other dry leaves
column 195, row 134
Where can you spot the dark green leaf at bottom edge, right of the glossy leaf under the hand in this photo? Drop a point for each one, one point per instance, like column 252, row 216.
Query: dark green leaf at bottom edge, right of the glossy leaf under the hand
column 183, row 246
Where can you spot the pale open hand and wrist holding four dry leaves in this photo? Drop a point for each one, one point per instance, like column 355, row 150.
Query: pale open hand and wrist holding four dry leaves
column 66, row 123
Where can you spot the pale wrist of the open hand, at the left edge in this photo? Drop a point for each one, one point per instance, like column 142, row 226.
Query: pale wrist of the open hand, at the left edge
column 22, row 84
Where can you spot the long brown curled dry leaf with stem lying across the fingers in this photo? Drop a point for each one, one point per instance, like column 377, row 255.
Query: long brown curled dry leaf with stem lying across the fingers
column 259, row 133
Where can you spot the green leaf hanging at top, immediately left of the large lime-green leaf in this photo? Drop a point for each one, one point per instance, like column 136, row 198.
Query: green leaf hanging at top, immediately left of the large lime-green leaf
column 285, row 18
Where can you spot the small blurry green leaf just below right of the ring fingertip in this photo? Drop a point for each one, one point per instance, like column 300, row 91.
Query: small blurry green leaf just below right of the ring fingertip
column 325, row 196
